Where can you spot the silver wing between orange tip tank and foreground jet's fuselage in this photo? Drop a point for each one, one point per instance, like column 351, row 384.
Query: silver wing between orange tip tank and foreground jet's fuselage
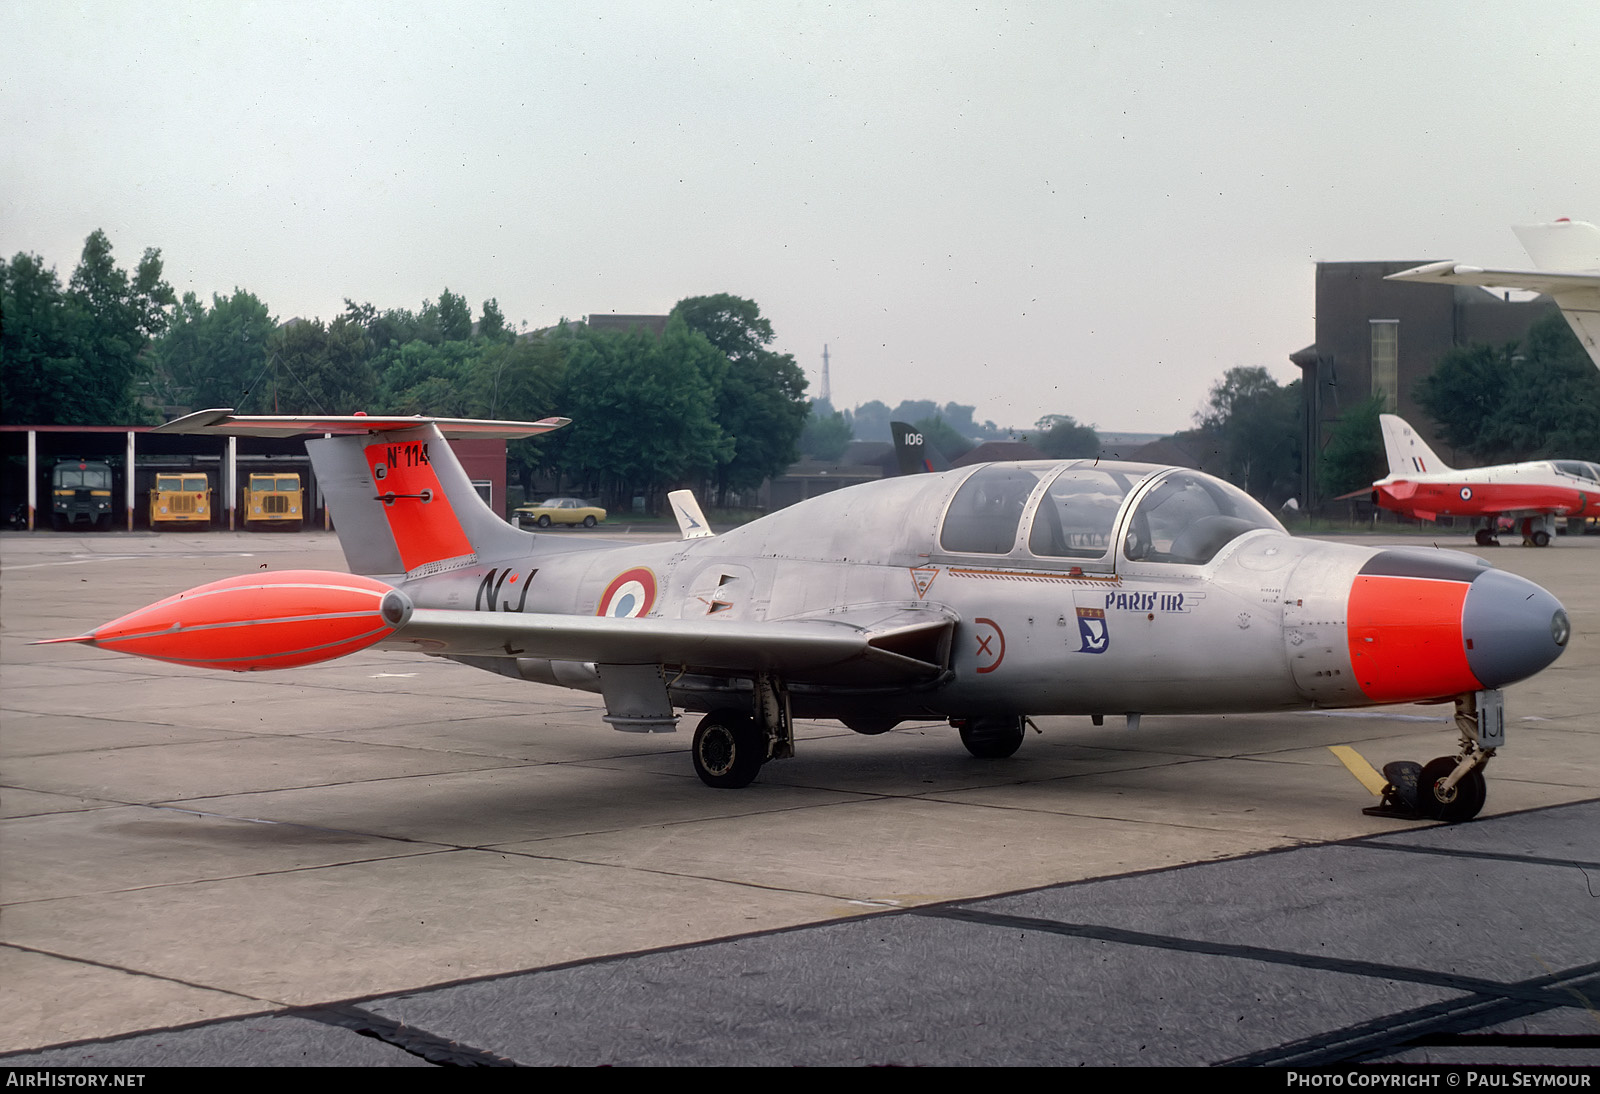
column 889, row 647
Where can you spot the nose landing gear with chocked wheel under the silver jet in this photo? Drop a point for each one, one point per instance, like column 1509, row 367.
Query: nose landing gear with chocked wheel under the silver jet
column 1449, row 789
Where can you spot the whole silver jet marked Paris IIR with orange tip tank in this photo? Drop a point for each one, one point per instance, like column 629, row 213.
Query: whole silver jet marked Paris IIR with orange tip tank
column 980, row 596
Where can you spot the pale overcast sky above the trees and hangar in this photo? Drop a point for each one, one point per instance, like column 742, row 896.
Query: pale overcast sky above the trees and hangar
column 1082, row 209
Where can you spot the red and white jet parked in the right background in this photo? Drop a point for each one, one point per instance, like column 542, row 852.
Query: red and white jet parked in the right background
column 1534, row 493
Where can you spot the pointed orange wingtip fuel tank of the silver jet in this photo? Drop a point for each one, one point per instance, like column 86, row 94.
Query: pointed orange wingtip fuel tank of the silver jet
column 260, row 621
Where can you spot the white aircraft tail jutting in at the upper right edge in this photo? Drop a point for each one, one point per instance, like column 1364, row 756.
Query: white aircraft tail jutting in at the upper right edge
column 1567, row 255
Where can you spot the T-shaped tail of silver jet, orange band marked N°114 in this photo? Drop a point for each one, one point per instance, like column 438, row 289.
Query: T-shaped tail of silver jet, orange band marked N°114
column 401, row 500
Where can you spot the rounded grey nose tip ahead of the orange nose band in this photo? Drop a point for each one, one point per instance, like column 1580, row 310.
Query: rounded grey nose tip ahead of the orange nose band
column 1511, row 628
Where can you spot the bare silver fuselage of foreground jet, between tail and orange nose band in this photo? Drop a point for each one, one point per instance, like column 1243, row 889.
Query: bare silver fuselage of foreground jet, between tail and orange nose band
column 1260, row 628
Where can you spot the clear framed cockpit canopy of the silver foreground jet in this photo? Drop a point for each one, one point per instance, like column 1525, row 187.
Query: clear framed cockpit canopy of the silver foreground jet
column 1073, row 513
